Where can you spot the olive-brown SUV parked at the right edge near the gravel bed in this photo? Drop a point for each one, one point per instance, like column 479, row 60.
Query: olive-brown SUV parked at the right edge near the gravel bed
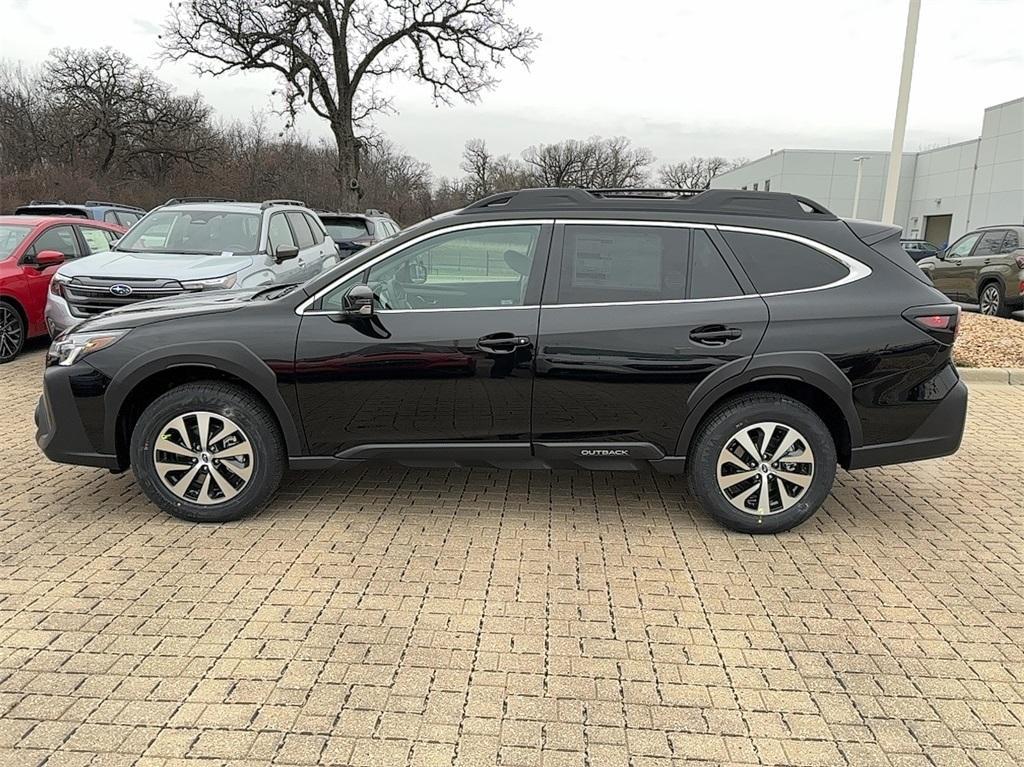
column 984, row 268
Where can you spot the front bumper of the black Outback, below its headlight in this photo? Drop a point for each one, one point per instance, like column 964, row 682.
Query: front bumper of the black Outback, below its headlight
column 62, row 417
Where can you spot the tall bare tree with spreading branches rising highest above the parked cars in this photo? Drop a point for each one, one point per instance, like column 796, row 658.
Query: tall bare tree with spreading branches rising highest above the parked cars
column 331, row 54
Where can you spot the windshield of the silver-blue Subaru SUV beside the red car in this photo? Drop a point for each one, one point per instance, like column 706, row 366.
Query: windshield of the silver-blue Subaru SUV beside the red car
column 194, row 232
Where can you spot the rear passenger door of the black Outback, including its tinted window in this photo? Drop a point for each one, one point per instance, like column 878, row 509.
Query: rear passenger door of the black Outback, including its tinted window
column 635, row 316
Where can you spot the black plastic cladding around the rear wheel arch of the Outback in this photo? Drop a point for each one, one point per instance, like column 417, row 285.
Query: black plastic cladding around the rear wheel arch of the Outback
column 808, row 377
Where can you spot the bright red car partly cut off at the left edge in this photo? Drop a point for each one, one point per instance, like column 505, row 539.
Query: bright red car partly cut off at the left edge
column 31, row 250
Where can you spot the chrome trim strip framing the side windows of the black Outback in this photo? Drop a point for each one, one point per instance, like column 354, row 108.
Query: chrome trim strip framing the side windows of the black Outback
column 857, row 270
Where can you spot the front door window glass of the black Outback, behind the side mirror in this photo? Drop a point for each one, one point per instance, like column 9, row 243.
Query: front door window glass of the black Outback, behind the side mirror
column 480, row 268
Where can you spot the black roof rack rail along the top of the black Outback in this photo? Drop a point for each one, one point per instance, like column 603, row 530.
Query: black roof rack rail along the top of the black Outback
column 737, row 202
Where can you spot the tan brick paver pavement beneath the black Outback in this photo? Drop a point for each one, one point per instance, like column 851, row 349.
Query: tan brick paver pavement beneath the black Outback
column 390, row 617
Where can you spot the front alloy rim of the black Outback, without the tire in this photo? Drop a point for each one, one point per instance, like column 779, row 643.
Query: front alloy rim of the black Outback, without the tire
column 204, row 458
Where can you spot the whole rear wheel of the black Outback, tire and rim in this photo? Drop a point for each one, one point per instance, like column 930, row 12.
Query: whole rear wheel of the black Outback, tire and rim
column 717, row 451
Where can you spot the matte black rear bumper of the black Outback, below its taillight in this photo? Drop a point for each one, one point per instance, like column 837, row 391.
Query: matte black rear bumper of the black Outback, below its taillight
column 940, row 436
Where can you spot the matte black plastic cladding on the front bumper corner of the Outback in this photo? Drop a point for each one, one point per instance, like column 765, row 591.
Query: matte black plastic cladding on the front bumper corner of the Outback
column 61, row 433
